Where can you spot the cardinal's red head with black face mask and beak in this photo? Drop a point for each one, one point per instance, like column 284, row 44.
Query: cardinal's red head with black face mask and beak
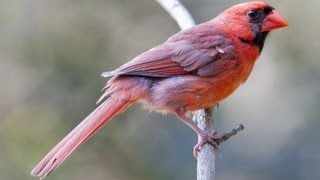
column 251, row 22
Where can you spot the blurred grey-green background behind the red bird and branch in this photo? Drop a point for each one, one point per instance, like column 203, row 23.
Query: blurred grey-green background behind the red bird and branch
column 52, row 53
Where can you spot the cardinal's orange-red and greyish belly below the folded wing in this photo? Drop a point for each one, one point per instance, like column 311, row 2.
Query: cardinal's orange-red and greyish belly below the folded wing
column 191, row 93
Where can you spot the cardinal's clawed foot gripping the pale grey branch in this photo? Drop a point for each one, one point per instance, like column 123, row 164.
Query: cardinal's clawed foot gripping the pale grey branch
column 210, row 137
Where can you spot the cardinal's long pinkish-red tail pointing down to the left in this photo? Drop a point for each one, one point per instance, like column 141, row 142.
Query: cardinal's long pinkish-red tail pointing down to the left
column 88, row 127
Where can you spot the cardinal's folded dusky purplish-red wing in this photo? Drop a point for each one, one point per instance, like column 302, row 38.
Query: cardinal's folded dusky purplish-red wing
column 185, row 53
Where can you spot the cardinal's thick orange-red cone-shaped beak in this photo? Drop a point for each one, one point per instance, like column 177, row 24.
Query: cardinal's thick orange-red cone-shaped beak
column 273, row 21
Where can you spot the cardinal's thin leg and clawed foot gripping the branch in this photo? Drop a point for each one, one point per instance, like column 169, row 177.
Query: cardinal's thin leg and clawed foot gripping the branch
column 206, row 136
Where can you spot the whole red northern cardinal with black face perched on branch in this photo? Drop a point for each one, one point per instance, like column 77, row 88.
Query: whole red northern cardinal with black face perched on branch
column 194, row 69
